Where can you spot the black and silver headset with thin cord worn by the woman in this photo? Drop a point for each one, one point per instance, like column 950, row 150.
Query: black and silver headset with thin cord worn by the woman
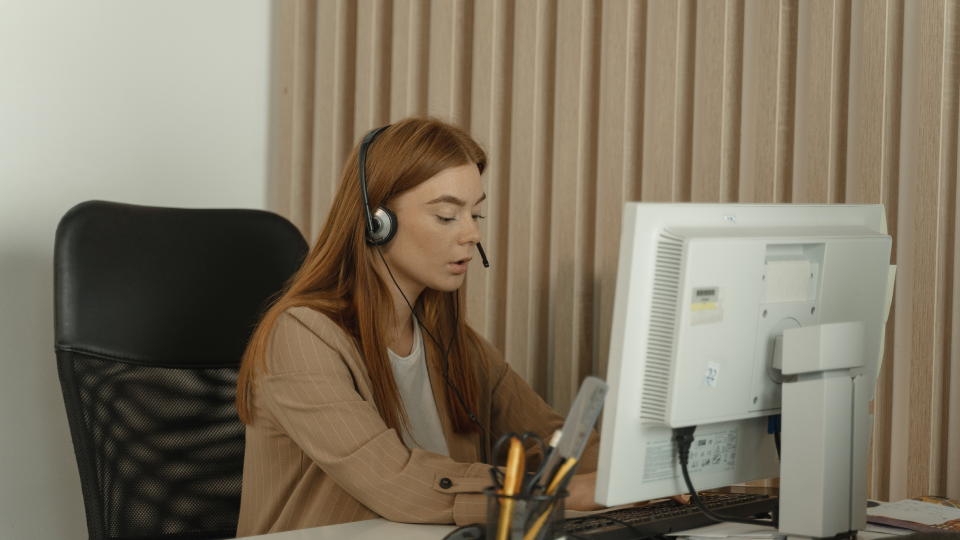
column 381, row 227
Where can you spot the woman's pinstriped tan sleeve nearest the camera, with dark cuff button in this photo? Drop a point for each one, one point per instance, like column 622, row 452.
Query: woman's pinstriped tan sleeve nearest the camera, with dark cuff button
column 311, row 392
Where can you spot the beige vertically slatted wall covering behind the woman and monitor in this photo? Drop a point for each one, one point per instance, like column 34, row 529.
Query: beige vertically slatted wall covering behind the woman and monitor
column 584, row 105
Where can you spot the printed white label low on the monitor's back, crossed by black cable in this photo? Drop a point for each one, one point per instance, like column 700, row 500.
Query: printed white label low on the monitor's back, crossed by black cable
column 710, row 453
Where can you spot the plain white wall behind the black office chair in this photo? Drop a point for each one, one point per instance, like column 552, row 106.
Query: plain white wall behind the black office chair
column 160, row 102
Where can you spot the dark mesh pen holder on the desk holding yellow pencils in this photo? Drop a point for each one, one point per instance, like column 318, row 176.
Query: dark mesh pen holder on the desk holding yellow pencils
column 516, row 517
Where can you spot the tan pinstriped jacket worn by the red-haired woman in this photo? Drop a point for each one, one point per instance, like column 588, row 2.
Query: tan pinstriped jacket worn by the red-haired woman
column 318, row 453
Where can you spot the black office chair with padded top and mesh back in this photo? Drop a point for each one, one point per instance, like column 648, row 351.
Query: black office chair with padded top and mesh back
column 154, row 307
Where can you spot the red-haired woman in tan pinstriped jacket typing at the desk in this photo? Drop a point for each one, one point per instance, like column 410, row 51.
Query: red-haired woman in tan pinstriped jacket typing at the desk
column 355, row 408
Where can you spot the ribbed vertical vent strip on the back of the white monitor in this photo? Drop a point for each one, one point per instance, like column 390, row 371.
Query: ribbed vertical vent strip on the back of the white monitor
column 663, row 323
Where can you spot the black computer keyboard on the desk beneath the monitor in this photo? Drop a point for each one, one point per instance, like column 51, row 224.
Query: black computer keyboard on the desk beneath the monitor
column 666, row 516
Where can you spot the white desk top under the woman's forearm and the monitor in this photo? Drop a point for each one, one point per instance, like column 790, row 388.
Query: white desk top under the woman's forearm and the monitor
column 377, row 529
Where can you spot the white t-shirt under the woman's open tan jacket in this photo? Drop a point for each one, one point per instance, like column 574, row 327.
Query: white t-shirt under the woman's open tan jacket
column 413, row 381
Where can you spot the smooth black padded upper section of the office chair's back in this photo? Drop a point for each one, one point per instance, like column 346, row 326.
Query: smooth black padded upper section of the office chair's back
column 167, row 286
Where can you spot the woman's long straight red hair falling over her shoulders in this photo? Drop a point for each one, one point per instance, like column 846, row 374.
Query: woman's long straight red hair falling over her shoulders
column 339, row 279
